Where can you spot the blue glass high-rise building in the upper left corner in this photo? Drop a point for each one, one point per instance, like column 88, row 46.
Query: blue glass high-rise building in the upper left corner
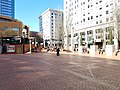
column 7, row 8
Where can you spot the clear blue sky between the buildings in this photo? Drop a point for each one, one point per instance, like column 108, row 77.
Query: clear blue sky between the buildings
column 28, row 11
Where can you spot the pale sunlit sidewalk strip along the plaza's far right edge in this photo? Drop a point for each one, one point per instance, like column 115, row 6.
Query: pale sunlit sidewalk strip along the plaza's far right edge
column 91, row 55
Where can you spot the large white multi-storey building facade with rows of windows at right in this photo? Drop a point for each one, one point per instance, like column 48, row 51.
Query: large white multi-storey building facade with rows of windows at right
column 89, row 22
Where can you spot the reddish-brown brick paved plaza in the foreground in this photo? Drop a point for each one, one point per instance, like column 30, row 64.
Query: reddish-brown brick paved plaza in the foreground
column 45, row 71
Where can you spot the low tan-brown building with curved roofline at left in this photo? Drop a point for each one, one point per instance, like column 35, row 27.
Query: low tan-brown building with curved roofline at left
column 7, row 23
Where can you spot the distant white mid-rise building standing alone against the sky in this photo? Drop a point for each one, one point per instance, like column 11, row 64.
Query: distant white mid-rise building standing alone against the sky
column 51, row 25
